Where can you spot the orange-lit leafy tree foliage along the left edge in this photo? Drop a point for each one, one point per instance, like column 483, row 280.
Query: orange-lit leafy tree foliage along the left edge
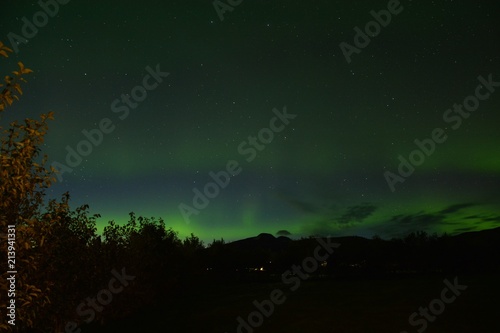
column 22, row 181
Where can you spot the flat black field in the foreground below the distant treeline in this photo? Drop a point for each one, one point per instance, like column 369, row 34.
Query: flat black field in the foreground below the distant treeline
column 327, row 306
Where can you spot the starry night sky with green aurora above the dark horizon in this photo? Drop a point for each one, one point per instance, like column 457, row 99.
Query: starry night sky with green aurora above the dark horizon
column 324, row 170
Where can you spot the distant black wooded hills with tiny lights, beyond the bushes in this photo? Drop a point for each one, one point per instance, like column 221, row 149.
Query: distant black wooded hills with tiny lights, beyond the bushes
column 357, row 257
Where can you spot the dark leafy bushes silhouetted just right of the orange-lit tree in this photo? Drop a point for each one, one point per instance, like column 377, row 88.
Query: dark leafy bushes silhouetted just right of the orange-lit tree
column 66, row 262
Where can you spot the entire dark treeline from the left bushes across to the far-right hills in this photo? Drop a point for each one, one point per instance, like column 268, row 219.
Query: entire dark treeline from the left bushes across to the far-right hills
column 80, row 277
